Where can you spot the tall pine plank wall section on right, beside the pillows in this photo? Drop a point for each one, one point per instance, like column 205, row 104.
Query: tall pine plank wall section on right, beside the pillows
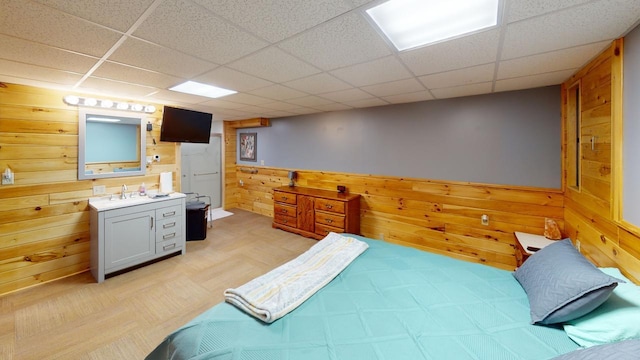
column 589, row 210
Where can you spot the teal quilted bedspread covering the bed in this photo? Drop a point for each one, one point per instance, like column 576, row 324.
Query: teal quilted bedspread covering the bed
column 392, row 302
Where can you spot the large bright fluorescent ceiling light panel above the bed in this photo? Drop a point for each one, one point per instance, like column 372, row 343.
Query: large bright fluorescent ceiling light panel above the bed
column 412, row 23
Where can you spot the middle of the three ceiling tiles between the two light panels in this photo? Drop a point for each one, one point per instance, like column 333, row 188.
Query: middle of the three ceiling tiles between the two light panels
column 275, row 65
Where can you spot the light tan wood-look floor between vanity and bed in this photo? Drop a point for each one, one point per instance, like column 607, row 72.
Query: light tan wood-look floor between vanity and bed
column 128, row 315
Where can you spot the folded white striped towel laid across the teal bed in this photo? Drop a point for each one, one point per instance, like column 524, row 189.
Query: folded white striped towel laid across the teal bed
column 276, row 293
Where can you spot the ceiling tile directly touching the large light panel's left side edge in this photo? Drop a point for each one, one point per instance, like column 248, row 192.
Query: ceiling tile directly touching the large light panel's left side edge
column 346, row 40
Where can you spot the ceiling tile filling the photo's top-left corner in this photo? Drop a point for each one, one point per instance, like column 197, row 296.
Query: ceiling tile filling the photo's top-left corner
column 39, row 23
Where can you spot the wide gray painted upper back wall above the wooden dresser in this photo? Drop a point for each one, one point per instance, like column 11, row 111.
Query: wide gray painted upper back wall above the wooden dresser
column 510, row 138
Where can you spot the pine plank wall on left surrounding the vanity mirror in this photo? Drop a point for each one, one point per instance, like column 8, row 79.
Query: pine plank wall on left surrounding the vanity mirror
column 44, row 217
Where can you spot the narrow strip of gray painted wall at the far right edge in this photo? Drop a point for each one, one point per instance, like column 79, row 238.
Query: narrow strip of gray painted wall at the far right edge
column 631, row 145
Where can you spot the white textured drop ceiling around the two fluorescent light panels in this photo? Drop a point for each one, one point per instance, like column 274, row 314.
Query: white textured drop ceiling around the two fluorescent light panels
column 291, row 57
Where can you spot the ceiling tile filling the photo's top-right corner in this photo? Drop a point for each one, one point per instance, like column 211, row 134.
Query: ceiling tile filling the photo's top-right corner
column 568, row 28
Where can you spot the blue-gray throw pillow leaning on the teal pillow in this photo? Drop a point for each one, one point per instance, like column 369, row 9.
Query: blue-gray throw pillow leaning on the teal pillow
column 561, row 284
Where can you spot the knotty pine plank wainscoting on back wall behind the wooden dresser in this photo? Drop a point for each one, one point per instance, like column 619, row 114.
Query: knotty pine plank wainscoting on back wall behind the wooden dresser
column 437, row 216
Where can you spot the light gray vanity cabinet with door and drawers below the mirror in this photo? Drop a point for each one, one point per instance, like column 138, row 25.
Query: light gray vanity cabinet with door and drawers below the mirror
column 127, row 236
